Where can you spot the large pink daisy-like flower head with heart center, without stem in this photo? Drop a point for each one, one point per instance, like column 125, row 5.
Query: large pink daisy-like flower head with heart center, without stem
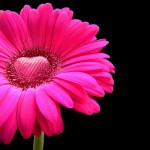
column 48, row 59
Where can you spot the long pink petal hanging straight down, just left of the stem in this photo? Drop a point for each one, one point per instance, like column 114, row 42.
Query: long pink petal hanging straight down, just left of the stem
column 26, row 113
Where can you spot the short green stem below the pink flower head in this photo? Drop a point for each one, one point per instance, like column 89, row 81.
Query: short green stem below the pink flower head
column 38, row 142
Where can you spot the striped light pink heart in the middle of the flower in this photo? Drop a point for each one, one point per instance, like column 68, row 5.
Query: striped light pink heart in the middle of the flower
column 31, row 67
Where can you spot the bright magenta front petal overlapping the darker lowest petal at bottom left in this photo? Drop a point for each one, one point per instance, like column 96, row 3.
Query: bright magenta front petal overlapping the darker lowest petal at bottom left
column 9, row 103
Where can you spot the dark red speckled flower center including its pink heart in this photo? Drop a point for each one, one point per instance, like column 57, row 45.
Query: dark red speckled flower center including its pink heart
column 31, row 68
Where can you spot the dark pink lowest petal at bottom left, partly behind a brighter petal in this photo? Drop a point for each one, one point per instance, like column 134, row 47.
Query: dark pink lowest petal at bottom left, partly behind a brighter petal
column 9, row 128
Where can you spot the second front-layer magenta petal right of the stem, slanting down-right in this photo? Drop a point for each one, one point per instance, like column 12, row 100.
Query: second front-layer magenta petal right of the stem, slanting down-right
column 62, row 98
